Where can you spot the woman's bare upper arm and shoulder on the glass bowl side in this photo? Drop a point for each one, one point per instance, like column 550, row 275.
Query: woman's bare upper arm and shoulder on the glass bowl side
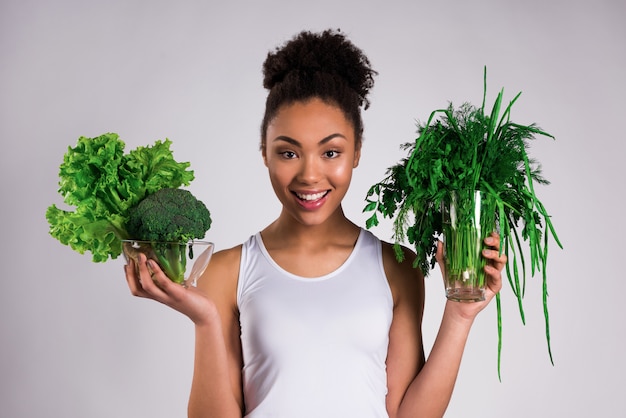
column 219, row 282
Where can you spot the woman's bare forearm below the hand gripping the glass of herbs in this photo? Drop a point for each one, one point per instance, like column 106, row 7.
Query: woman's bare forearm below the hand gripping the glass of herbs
column 430, row 392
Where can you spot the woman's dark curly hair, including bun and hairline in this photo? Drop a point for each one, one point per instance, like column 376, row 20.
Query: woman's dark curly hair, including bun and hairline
column 322, row 65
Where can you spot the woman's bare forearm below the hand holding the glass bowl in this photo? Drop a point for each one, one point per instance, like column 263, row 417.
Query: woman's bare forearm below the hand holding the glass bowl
column 214, row 393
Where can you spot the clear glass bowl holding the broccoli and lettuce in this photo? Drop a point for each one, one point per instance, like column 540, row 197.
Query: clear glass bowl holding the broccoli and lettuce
column 182, row 262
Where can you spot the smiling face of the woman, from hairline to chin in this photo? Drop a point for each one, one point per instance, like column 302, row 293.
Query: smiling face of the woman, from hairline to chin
column 310, row 153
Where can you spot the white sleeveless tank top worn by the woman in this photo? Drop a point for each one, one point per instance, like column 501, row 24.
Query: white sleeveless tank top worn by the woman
column 315, row 347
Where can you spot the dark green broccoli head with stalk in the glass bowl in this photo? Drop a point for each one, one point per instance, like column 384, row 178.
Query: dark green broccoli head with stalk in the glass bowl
column 169, row 218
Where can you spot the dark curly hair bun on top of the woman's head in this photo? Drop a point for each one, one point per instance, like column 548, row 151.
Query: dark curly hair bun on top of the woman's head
column 328, row 52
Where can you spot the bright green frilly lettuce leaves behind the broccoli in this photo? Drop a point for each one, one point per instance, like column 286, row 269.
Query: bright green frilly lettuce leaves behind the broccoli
column 103, row 182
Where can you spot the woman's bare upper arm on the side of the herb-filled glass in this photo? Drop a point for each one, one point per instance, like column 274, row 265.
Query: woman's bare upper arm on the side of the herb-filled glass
column 405, row 356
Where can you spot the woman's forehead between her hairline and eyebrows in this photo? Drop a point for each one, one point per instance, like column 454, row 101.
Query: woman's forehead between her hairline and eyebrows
column 313, row 119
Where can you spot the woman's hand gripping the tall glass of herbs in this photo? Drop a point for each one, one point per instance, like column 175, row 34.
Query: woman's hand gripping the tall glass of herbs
column 493, row 271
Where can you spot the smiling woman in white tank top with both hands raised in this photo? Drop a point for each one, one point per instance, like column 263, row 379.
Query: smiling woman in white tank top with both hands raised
column 313, row 316
